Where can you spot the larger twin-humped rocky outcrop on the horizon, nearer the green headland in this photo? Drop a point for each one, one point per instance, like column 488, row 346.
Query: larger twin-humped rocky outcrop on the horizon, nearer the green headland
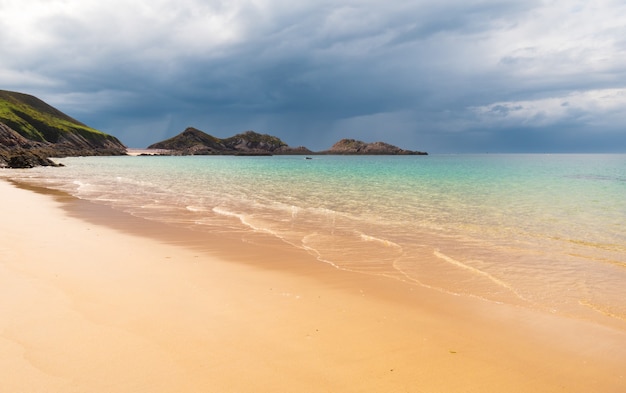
column 195, row 142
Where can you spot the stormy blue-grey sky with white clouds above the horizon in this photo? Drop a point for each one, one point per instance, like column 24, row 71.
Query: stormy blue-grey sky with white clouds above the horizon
column 437, row 75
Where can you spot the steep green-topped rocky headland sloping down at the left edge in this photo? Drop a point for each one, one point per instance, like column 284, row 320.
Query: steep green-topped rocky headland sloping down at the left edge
column 31, row 131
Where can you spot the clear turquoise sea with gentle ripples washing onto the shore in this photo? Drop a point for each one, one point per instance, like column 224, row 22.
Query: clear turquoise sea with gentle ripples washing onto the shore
column 542, row 231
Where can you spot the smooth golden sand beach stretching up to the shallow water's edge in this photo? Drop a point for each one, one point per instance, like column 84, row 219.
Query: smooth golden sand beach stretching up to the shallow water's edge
column 134, row 306
